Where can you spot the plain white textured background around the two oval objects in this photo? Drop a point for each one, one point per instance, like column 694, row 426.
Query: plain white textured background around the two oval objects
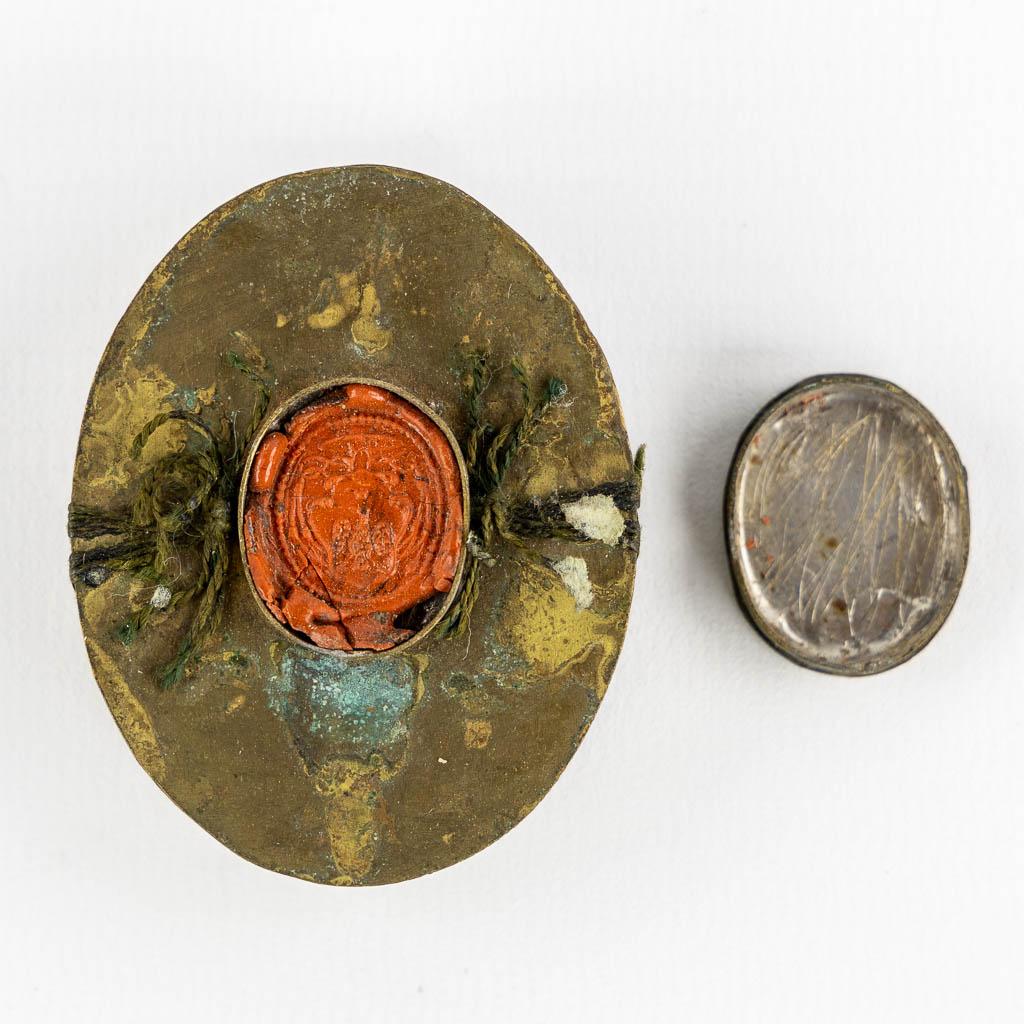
column 737, row 195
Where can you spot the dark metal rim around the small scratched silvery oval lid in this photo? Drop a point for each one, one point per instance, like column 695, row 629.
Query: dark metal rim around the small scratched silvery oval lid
column 749, row 607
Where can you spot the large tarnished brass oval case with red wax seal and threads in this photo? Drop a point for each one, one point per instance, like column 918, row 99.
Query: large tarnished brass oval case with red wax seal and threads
column 433, row 737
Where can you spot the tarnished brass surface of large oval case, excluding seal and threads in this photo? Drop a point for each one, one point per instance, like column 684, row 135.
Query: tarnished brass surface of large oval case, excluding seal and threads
column 373, row 771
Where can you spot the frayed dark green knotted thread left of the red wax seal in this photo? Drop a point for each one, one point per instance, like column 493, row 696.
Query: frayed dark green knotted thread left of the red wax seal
column 185, row 499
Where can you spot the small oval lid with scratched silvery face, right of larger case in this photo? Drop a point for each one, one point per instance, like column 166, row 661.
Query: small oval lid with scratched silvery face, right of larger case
column 847, row 525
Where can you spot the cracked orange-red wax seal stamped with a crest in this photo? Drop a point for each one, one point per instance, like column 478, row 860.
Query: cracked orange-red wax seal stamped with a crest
column 354, row 516
